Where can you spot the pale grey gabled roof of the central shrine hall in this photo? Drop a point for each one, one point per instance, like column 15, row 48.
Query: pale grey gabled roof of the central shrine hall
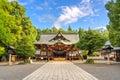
column 69, row 38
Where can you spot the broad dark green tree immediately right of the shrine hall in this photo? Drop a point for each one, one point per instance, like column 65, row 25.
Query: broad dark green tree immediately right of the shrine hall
column 90, row 40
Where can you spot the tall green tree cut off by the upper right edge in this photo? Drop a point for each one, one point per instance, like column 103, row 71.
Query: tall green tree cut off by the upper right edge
column 113, row 8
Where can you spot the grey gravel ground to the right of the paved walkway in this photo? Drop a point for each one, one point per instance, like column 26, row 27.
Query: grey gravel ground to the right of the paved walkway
column 102, row 71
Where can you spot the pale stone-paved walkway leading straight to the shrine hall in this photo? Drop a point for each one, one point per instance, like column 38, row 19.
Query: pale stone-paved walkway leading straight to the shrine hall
column 60, row 71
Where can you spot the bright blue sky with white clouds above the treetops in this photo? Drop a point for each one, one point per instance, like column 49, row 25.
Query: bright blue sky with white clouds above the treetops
column 62, row 13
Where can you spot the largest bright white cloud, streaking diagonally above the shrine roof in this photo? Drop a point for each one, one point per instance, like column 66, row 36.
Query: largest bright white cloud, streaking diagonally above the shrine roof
column 71, row 14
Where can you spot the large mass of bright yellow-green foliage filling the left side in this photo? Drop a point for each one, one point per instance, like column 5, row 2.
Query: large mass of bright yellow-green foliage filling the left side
column 17, row 28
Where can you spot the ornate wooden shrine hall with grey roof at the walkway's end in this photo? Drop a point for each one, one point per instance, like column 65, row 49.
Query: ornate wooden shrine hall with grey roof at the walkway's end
column 57, row 47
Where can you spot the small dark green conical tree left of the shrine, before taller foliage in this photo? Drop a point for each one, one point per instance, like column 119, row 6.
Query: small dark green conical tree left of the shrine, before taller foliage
column 25, row 49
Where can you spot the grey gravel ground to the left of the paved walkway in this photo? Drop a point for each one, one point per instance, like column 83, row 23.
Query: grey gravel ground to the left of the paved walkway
column 17, row 72
